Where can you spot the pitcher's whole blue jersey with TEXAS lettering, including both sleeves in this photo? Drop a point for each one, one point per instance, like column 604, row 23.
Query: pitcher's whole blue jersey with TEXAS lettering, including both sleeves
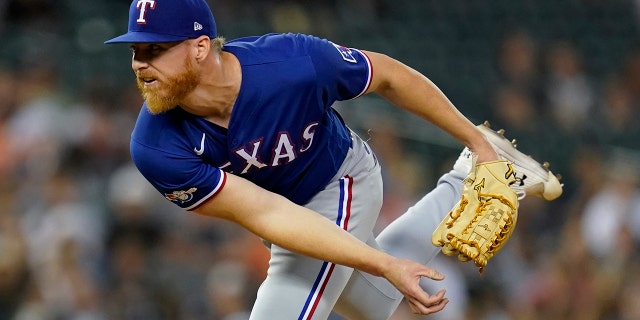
column 283, row 134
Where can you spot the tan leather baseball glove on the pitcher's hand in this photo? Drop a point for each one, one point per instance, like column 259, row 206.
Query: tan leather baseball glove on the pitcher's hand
column 482, row 222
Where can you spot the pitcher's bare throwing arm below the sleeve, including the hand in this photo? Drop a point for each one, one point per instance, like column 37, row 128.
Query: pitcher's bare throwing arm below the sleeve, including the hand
column 296, row 228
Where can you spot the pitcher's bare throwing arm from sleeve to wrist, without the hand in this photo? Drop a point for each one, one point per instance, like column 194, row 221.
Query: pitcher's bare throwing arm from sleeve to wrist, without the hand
column 293, row 227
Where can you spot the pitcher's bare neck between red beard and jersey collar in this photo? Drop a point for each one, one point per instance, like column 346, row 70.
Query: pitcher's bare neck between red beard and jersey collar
column 214, row 97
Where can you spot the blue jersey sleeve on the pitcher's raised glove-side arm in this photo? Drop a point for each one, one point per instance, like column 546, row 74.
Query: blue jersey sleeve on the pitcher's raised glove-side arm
column 343, row 73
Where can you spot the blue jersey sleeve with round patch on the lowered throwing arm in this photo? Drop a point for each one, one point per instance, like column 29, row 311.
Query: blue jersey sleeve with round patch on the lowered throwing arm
column 182, row 179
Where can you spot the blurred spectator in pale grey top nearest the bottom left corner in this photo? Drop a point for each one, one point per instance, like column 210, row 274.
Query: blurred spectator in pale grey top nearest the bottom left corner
column 66, row 244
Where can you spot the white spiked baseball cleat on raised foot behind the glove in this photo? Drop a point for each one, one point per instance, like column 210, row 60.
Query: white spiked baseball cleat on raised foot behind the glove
column 532, row 177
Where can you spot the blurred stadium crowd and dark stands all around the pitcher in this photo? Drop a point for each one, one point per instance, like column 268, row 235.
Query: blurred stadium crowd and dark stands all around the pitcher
column 83, row 237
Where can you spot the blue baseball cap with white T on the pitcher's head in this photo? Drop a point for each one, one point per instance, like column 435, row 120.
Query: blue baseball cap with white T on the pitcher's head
column 156, row 21
